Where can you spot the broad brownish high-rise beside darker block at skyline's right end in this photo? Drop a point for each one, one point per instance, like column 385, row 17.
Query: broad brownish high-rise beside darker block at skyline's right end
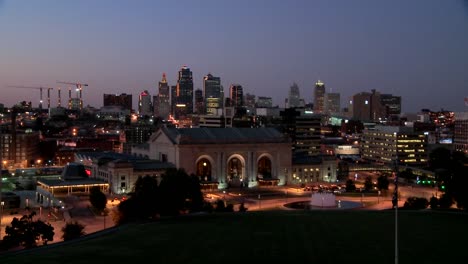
column 367, row 106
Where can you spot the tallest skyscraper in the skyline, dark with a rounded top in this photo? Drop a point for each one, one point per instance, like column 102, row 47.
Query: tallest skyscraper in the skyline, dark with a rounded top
column 184, row 93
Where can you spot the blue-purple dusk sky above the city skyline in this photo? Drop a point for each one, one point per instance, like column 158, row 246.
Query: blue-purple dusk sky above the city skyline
column 415, row 49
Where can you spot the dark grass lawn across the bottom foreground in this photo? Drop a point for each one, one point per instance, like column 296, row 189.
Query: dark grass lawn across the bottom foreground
column 271, row 237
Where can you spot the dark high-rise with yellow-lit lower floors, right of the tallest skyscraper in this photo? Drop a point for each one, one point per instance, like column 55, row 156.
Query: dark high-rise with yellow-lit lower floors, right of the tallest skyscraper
column 213, row 92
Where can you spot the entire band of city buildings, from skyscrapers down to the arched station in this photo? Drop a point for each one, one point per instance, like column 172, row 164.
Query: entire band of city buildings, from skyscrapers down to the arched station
column 178, row 120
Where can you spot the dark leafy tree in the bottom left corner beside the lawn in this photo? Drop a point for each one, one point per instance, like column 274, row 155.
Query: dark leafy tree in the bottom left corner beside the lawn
column 26, row 232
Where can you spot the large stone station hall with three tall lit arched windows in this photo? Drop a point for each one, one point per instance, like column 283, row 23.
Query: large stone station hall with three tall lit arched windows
column 223, row 157
